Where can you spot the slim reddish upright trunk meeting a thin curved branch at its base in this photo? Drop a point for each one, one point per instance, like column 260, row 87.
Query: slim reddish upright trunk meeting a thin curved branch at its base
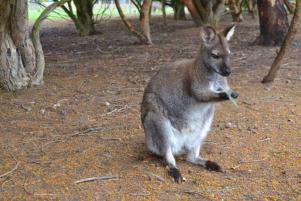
column 145, row 19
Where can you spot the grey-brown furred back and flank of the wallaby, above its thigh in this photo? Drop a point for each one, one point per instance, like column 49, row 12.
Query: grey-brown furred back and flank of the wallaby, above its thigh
column 172, row 98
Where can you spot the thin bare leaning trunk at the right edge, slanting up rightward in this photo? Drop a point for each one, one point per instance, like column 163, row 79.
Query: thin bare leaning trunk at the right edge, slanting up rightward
column 286, row 44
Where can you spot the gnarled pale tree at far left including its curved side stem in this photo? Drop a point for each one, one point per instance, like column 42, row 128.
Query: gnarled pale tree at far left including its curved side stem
column 21, row 59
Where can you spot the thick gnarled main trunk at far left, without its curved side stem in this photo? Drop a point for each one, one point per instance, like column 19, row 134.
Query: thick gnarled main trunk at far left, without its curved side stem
column 17, row 53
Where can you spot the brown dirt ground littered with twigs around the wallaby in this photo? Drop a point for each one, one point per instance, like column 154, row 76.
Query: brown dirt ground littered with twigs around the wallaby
column 85, row 121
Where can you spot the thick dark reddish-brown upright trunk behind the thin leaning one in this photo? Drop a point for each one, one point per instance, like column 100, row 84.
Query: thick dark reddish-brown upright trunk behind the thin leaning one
column 273, row 22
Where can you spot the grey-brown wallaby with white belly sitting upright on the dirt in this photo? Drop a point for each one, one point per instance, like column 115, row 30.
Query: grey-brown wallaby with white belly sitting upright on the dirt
column 179, row 101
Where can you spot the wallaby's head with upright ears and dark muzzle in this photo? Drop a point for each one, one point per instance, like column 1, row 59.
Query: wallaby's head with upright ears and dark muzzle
column 215, row 50
